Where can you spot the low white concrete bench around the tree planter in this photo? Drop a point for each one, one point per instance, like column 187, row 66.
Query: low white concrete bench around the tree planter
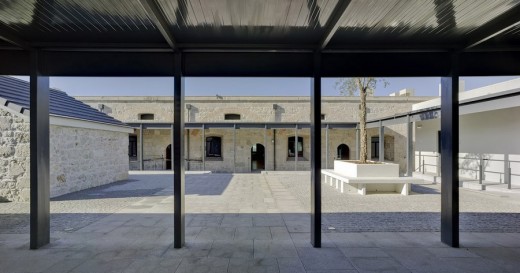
column 370, row 184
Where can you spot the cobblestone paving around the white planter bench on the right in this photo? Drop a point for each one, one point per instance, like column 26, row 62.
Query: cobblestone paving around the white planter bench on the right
column 420, row 211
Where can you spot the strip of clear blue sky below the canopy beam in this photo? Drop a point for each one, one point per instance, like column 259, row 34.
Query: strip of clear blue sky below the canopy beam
column 163, row 86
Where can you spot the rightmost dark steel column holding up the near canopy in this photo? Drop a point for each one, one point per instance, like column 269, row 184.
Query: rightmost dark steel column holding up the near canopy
column 449, row 157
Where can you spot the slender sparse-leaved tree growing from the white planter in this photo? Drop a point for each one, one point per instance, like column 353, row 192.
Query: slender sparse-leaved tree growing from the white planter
column 363, row 87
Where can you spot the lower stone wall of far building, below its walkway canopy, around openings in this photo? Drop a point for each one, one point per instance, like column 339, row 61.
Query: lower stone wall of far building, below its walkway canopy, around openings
column 276, row 148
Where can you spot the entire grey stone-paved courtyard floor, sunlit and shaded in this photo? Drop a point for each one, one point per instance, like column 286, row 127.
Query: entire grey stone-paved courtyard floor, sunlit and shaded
column 260, row 223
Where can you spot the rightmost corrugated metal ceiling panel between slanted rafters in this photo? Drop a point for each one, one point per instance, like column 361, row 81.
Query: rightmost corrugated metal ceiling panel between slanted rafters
column 432, row 22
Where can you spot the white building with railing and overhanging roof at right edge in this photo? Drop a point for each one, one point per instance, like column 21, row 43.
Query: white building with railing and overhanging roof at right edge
column 489, row 137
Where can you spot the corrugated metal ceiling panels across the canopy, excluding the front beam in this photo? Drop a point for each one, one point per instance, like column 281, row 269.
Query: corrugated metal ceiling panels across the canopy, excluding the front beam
column 391, row 23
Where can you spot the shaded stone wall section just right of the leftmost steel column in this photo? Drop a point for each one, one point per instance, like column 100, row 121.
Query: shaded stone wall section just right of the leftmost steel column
column 84, row 158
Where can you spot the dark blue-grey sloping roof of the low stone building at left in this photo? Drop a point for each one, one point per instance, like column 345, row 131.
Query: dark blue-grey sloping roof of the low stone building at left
column 17, row 91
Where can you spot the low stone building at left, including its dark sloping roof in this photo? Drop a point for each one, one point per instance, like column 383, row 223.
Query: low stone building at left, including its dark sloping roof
column 84, row 153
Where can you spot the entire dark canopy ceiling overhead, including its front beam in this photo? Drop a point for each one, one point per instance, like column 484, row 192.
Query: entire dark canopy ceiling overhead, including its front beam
column 266, row 33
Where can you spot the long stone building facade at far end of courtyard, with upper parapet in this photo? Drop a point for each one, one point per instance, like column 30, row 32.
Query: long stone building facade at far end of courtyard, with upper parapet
column 240, row 148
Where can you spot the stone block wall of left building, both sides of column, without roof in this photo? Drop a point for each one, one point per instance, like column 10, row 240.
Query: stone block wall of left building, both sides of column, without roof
column 79, row 158
